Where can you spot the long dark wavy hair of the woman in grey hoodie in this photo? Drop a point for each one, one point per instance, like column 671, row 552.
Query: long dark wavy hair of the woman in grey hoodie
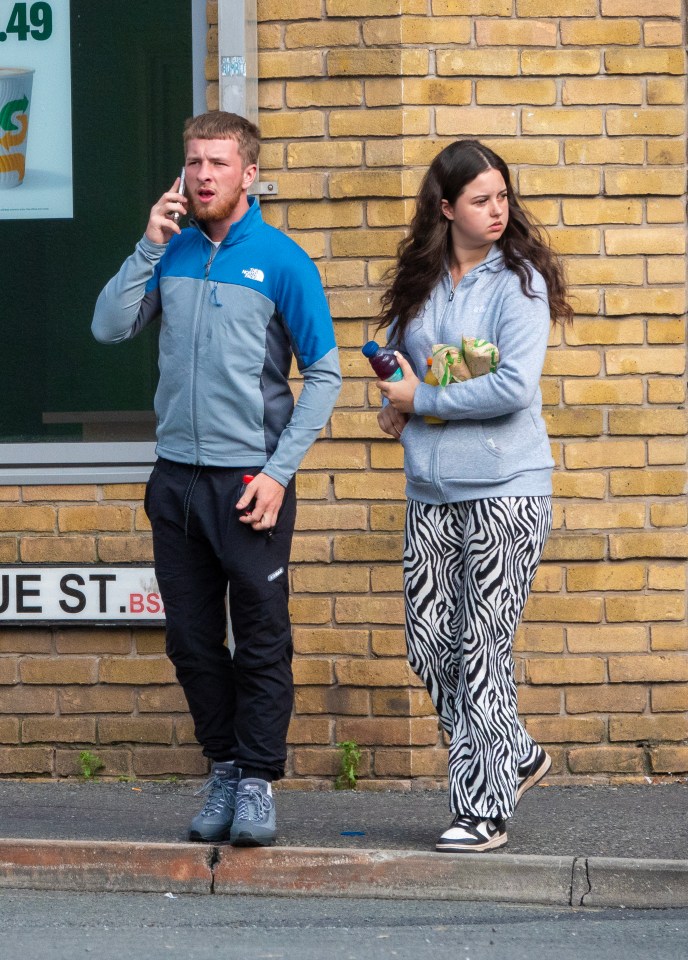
column 423, row 254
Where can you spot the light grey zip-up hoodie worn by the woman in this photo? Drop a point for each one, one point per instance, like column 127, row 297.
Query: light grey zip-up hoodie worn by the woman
column 494, row 443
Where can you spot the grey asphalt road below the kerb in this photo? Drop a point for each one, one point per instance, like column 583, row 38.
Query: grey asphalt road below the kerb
column 63, row 926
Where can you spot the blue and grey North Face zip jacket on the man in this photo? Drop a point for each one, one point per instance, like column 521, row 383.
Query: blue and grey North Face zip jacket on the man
column 231, row 318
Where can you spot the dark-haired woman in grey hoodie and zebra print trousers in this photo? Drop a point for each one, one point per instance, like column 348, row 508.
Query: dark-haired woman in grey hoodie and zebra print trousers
column 479, row 484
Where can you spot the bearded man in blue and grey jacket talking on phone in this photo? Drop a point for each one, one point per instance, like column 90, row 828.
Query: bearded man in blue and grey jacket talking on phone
column 236, row 299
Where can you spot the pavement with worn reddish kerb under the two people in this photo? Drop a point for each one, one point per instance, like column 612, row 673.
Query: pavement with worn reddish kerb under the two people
column 579, row 846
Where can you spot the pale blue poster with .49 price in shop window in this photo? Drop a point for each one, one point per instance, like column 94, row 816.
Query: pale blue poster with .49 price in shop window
column 35, row 111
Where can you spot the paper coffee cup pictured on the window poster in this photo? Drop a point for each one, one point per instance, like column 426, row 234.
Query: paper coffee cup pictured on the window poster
column 15, row 100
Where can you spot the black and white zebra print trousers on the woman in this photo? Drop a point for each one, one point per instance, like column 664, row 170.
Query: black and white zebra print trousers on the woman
column 468, row 569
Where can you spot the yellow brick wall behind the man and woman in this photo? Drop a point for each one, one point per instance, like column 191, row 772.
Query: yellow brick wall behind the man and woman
column 586, row 101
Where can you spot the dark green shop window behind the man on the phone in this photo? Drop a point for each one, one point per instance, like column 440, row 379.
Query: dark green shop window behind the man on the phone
column 67, row 399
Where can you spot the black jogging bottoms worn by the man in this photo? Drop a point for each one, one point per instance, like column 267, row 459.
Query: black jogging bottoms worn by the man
column 240, row 702
